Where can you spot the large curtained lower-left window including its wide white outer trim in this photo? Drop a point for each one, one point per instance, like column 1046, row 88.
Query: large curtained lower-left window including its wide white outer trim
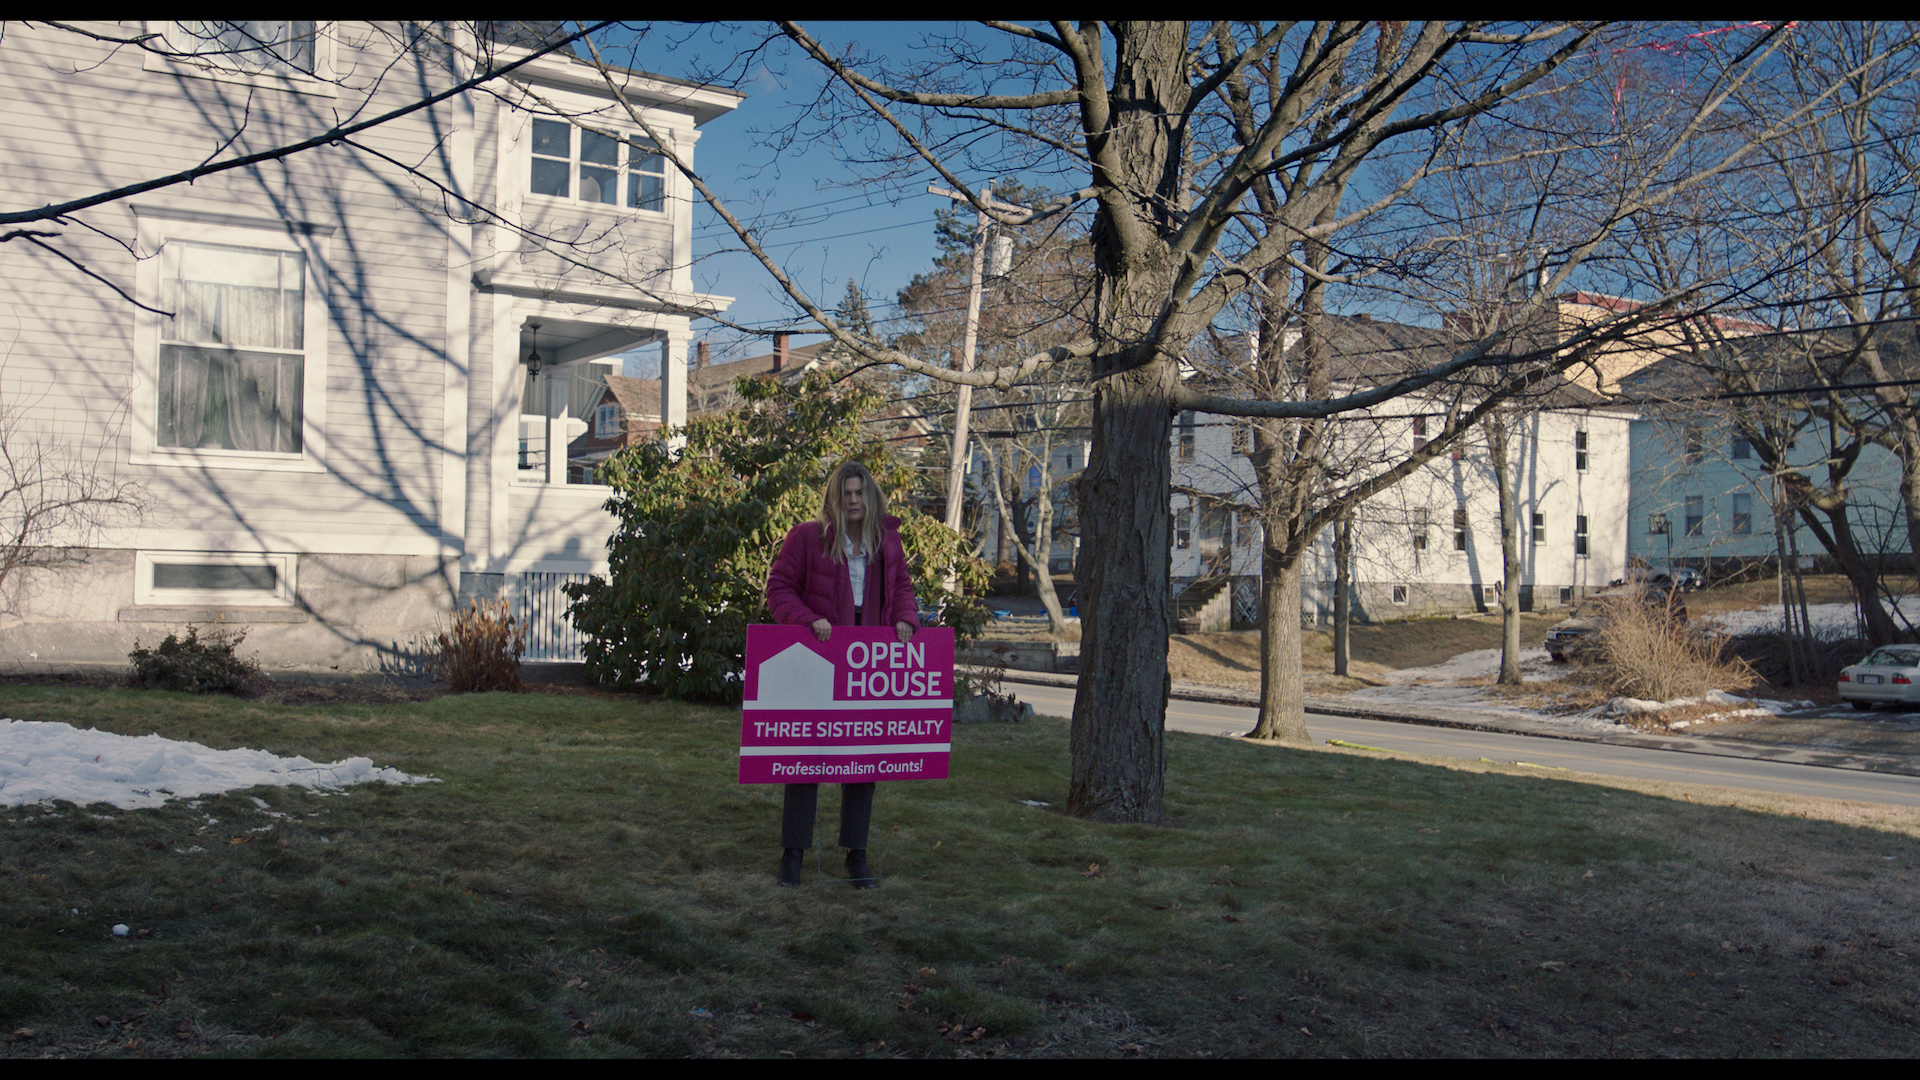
column 235, row 372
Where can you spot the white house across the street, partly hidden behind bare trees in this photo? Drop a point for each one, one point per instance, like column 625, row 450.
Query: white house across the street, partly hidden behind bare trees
column 1431, row 543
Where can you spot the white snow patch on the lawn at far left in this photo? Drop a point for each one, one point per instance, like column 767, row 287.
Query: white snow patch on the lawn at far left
column 53, row 762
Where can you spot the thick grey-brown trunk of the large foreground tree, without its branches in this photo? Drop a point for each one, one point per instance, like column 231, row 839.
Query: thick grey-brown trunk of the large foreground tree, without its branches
column 1138, row 155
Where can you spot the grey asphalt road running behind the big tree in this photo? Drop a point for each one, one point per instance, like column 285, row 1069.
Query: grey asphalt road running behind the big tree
column 1598, row 758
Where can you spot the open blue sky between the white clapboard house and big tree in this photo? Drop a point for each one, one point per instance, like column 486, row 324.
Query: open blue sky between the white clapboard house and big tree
column 875, row 233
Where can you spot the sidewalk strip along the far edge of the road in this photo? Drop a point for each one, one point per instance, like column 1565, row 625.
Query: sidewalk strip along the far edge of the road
column 1884, row 745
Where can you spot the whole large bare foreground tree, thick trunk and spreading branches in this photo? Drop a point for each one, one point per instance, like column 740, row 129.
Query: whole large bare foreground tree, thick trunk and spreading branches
column 1118, row 103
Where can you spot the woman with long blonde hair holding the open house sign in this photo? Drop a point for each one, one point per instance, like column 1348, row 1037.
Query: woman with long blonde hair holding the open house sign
column 844, row 570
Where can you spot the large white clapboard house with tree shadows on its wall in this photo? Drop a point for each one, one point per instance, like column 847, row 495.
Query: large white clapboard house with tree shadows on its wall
column 345, row 422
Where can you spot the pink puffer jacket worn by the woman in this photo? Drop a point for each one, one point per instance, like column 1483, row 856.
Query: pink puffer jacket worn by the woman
column 805, row 585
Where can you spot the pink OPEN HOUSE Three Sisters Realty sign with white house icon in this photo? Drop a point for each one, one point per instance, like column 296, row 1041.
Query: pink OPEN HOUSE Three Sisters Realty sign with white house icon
column 857, row 708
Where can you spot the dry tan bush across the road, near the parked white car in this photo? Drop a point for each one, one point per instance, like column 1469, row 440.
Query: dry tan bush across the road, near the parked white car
column 1654, row 654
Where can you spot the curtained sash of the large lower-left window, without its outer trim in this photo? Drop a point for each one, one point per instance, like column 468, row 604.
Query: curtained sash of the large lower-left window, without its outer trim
column 231, row 370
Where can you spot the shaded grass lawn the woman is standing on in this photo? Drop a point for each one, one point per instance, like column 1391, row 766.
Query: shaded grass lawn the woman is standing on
column 588, row 881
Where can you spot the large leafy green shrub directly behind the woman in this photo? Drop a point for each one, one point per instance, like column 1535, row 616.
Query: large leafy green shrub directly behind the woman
column 698, row 531
